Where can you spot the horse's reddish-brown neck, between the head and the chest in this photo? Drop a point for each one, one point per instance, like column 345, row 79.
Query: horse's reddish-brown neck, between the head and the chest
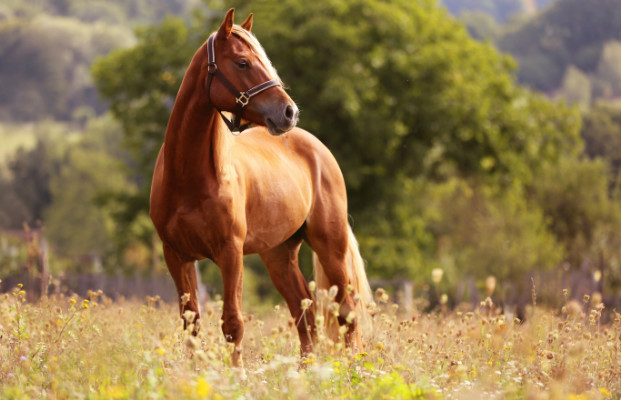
column 196, row 141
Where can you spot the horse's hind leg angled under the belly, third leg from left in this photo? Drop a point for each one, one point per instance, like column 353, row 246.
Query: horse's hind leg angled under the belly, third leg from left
column 282, row 265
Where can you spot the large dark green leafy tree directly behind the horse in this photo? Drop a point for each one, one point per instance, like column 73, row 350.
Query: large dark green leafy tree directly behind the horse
column 397, row 90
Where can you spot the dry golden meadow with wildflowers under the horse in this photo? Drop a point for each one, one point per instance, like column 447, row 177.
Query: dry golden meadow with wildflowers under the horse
column 72, row 348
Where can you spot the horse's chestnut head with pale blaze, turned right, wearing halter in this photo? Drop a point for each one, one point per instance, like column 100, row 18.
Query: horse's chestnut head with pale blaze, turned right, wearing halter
column 241, row 79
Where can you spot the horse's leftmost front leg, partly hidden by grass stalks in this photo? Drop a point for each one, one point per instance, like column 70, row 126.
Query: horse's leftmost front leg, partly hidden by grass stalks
column 183, row 273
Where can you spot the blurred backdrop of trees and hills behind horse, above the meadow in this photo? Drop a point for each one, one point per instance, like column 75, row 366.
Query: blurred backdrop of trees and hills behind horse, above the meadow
column 480, row 140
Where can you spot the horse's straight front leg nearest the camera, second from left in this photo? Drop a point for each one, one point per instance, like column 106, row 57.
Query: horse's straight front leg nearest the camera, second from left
column 230, row 262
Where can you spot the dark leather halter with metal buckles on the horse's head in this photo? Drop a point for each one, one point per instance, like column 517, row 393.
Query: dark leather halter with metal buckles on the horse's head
column 241, row 98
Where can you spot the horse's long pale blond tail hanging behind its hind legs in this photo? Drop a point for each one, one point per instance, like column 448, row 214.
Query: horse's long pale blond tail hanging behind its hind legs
column 357, row 279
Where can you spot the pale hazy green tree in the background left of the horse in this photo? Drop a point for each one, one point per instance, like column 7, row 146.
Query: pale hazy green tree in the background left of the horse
column 74, row 222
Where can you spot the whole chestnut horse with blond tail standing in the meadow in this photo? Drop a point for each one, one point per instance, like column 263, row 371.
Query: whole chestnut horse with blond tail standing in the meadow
column 220, row 196
